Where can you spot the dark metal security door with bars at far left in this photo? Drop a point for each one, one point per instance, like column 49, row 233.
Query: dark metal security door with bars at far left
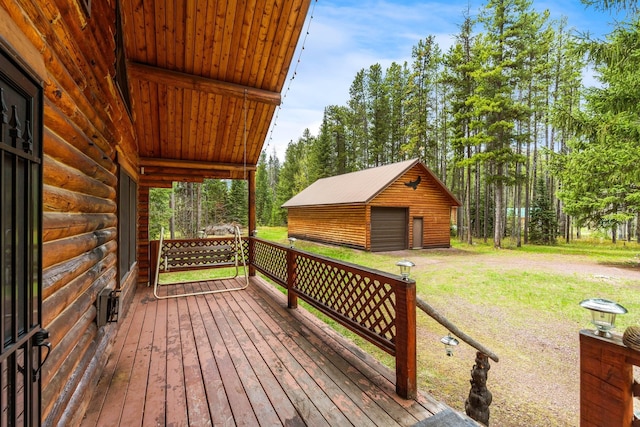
column 21, row 338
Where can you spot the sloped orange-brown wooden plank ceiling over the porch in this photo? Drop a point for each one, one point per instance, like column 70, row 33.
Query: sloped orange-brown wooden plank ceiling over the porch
column 199, row 70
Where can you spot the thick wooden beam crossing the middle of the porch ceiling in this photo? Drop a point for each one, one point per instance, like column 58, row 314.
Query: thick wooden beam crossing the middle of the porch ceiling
column 202, row 84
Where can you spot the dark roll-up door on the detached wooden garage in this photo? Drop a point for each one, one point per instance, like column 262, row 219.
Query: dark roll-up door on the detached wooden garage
column 388, row 229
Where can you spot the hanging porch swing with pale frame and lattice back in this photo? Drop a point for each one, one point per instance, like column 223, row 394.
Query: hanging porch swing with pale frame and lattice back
column 206, row 253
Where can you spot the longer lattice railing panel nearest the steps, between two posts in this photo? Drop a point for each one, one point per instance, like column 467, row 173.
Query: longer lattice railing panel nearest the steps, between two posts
column 366, row 300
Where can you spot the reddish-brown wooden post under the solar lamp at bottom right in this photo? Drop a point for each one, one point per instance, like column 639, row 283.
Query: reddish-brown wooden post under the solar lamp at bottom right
column 606, row 381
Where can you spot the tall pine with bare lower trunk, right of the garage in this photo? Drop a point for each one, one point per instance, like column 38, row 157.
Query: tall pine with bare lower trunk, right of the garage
column 496, row 105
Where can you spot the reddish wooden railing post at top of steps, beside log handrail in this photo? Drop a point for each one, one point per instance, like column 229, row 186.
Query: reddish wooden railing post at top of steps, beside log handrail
column 406, row 359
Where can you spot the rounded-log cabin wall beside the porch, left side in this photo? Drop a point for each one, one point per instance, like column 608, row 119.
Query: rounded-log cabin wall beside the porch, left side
column 85, row 120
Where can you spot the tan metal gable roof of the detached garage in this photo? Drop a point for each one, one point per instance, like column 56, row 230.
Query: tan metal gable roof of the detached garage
column 357, row 187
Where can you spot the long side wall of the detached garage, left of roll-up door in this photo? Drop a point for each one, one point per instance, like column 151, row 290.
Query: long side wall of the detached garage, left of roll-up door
column 342, row 225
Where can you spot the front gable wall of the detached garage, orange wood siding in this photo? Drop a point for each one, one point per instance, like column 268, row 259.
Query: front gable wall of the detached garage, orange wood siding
column 427, row 201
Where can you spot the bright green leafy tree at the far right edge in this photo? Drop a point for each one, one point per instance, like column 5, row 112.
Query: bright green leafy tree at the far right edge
column 600, row 173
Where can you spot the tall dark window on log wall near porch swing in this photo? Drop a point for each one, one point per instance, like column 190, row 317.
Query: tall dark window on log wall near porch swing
column 127, row 220
